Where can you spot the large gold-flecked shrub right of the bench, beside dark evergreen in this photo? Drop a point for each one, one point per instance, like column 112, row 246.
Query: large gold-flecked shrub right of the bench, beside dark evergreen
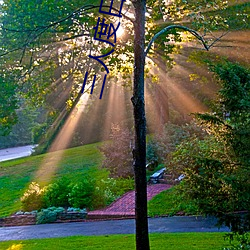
column 205, row 175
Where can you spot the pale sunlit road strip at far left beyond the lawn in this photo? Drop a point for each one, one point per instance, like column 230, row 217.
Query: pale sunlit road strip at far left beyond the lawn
column 14, row 153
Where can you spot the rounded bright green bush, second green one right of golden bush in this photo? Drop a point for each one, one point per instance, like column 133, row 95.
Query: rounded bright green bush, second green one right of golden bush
column 81, row 194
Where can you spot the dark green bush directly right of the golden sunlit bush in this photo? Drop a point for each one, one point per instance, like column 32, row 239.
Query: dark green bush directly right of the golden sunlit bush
column 57, row 193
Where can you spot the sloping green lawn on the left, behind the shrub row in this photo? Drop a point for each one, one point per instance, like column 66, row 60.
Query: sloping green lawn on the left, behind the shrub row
column 16, row 175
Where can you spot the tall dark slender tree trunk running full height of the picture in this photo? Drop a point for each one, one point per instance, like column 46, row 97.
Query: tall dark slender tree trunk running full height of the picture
column 139, row 151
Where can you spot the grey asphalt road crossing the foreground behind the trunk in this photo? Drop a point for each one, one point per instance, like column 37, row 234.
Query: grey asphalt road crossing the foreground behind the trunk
column 156, row 225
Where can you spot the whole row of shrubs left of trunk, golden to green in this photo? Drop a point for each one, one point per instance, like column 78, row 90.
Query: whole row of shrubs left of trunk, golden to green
column 92, row 192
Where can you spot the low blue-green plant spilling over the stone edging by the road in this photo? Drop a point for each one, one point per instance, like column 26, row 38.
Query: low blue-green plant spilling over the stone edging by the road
column 48, row 215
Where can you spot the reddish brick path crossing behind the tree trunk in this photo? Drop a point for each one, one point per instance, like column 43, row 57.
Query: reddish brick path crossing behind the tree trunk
column 124, row 207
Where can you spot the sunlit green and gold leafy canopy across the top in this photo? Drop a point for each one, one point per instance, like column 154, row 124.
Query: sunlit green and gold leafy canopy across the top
column 49, row 40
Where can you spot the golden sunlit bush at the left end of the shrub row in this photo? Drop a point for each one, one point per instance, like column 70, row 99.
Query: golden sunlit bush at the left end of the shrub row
column 33, row 198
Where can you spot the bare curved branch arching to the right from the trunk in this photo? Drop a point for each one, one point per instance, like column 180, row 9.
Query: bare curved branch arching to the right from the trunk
column 193, row 32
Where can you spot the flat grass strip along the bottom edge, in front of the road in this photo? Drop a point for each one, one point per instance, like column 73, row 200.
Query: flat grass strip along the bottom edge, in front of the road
column 170, row 241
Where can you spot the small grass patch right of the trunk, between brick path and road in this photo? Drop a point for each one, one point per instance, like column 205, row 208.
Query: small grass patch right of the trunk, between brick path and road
column 169, row 203
